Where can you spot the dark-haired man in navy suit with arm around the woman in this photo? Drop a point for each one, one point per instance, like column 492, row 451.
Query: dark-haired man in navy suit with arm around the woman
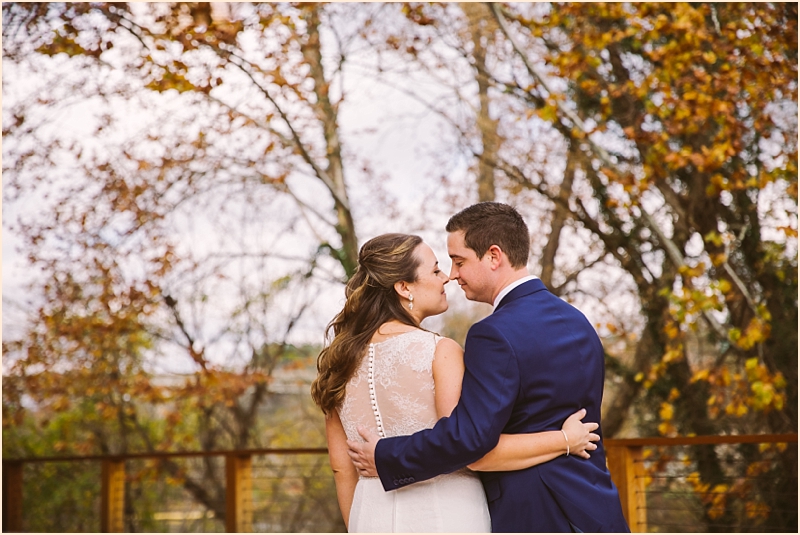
column 534, row 361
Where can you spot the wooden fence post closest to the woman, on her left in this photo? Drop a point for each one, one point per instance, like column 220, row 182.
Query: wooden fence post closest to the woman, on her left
column 238, row 494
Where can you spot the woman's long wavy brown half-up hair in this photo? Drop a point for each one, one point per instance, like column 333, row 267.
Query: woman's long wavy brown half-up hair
column 371, row 302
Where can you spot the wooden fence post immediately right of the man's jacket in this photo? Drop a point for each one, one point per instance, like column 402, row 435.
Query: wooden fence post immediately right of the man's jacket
column 627, row 472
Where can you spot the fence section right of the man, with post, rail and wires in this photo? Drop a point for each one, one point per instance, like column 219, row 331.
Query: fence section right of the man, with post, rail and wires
column 662, row 489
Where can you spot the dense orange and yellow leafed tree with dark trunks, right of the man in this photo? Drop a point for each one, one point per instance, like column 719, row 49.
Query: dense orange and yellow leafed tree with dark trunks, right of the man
column 676, row 118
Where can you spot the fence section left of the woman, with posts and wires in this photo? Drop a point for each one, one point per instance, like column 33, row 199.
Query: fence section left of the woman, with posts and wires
column 267, row 490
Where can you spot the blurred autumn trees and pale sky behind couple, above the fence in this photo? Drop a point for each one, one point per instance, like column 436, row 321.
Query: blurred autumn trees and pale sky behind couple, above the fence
column 187, row 185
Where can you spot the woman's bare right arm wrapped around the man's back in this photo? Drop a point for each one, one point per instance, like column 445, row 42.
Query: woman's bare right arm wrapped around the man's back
column 513, row 452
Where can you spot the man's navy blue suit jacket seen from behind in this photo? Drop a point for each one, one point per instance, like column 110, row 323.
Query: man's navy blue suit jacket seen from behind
column 529, row 365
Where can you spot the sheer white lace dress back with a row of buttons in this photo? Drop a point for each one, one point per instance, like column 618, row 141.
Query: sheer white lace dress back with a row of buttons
column 392, row 393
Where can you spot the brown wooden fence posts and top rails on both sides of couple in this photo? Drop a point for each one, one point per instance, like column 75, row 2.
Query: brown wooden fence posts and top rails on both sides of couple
column 624, row 457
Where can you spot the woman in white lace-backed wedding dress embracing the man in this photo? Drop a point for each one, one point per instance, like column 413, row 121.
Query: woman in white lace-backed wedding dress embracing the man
column 383, row 372
